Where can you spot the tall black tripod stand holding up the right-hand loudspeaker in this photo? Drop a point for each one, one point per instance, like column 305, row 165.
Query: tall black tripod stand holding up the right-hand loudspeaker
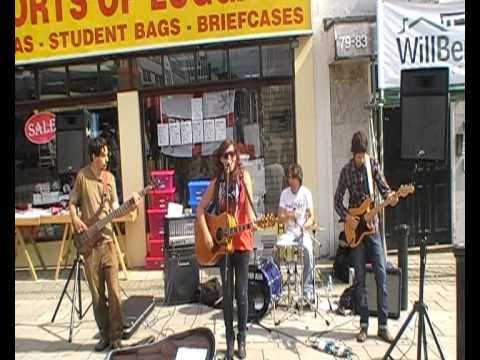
column 419, row 307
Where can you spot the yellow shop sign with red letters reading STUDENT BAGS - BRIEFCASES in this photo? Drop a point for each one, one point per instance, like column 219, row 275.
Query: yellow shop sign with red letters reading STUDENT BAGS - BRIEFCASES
column 60, row 29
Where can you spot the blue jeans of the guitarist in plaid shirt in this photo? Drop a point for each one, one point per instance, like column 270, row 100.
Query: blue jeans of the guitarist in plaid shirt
column 358, row 259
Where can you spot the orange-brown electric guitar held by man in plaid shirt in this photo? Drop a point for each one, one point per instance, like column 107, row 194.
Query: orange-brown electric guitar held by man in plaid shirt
column 366, row 213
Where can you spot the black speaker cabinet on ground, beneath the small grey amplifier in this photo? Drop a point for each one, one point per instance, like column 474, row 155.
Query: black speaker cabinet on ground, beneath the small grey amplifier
column 181, row 280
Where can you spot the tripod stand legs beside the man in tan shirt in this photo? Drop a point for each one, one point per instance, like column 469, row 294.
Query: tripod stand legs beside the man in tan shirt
column 76, row 296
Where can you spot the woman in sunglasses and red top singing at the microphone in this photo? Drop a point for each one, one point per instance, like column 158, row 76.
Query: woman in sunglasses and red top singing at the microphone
column 229, row 190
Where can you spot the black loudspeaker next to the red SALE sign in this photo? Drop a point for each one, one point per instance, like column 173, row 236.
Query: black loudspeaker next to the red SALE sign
column 72, row 150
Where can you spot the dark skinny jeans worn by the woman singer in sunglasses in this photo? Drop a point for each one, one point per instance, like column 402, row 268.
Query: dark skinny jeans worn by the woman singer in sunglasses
column 238, row 264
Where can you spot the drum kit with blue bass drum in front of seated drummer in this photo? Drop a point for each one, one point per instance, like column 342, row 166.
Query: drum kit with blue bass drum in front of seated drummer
column 277, row 281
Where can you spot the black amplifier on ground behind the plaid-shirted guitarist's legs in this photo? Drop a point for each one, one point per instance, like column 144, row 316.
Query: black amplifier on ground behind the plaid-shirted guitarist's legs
column 394, row 291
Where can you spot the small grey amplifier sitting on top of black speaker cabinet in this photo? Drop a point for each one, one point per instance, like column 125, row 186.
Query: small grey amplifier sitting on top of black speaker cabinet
column 179, row 233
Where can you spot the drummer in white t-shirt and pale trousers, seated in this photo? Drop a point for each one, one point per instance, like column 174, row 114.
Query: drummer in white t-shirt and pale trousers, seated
column 295, row 211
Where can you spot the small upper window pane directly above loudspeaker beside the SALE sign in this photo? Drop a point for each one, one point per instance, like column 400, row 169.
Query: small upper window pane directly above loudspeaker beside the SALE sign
column 83, row 79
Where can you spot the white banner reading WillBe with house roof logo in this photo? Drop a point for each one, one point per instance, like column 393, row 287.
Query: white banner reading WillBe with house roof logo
column 419, row 35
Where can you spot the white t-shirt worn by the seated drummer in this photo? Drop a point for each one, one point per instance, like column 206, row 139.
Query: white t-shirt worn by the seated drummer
column 299, row 203
